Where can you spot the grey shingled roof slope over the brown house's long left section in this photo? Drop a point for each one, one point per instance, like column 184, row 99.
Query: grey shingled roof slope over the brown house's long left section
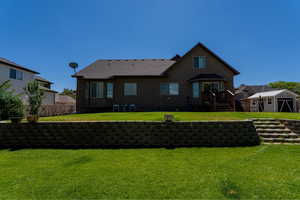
column 106, row 69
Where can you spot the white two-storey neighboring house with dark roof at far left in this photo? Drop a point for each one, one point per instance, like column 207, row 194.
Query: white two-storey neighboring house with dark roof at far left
column 19, row 77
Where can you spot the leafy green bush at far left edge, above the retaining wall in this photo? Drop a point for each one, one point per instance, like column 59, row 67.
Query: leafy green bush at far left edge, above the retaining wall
column 10, row 105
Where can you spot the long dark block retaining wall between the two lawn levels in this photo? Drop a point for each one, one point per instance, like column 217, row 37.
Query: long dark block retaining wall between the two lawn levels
column 128, row 134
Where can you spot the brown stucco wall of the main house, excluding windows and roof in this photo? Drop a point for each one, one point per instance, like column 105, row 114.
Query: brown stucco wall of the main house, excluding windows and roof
column 148, row 88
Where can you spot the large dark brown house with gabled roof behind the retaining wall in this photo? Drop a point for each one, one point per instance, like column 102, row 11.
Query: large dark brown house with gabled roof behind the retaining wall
column 194, row 81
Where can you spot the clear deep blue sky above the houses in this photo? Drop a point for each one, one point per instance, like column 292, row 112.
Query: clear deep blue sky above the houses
column 260, row 38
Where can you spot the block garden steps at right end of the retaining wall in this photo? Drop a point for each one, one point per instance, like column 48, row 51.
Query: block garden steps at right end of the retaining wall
column 272, row 131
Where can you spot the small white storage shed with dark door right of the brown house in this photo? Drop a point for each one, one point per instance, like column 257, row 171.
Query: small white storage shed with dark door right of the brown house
column 274, row 101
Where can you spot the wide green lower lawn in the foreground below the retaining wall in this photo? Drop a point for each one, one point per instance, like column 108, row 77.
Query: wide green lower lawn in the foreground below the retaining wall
column 262, row 172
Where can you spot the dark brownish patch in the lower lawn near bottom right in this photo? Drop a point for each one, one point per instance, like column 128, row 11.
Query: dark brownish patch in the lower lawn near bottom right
column 229, row 189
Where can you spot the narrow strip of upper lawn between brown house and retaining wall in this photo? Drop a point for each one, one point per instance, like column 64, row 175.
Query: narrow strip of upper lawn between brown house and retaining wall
column 180, row 116
